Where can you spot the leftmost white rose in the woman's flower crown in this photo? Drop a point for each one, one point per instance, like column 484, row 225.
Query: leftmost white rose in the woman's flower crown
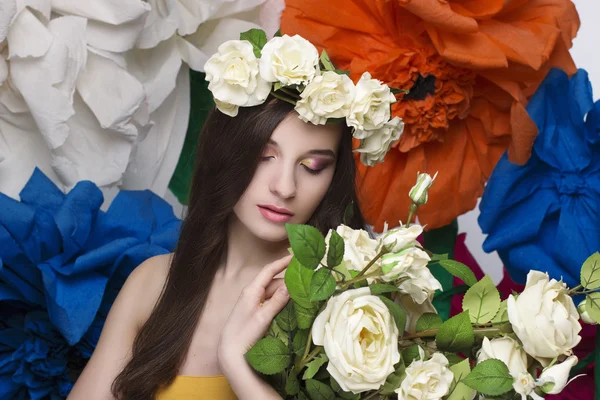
column 233, row 75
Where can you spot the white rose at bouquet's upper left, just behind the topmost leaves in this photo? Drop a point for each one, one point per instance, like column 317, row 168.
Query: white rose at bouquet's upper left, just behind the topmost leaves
column 359, row 247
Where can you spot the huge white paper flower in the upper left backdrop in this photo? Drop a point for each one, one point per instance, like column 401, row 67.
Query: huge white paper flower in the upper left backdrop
column 96, row 90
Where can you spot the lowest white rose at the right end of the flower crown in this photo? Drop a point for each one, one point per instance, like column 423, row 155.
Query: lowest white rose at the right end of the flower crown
column 378, row 142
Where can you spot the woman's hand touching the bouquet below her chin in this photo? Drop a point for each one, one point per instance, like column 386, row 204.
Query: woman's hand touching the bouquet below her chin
column 251, row 316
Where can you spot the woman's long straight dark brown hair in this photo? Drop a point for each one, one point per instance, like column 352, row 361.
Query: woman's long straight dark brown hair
column 227, row 155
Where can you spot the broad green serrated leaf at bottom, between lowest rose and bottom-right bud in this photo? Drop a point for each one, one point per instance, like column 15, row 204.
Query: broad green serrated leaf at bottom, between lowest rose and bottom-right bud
column 490, row 378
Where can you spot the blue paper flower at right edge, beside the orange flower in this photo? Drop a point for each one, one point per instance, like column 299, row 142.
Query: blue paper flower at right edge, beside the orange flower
column 545, row 215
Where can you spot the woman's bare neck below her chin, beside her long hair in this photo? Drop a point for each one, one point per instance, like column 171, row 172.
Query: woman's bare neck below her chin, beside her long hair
column 246, row 250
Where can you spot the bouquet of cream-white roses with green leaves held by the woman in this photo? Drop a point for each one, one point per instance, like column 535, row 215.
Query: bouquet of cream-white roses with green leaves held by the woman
column 360, row 323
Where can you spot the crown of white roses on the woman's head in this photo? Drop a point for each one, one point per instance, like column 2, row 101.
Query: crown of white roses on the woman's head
column 244, row 72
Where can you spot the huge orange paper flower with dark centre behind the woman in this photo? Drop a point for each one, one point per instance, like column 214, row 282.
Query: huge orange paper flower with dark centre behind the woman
column 470, row 67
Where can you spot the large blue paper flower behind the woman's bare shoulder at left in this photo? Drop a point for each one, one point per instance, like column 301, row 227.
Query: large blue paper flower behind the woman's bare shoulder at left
column 62, row 263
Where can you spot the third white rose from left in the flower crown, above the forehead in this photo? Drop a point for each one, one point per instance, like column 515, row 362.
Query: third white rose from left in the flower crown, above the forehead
column 326, row 96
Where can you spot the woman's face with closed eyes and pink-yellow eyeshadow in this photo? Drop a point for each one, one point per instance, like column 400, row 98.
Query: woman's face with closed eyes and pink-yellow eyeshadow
column 292, row 177
